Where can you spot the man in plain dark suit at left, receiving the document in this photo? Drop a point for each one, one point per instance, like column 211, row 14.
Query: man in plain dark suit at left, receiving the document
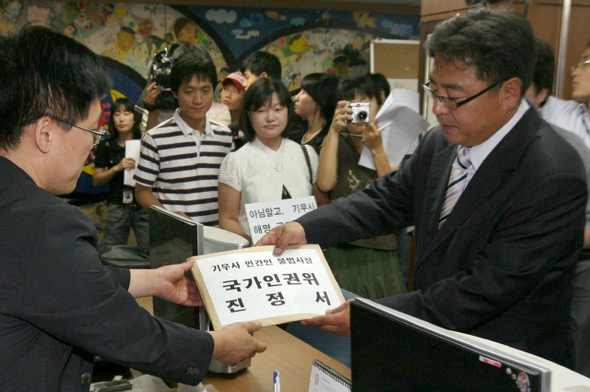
column 58, row 305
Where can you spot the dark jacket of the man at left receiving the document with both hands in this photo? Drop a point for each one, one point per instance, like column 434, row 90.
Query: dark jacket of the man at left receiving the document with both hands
column 59, row 306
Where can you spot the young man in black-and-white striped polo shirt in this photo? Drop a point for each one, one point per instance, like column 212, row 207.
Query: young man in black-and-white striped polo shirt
column 180, row 158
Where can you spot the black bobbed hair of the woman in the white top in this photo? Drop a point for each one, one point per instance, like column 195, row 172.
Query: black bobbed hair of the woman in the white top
column 258, row 95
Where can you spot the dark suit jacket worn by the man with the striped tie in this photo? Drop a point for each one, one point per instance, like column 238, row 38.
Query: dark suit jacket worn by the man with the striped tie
column 501, row 265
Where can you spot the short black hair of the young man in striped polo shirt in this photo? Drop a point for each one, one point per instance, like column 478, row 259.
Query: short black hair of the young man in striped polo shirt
column 190, row 60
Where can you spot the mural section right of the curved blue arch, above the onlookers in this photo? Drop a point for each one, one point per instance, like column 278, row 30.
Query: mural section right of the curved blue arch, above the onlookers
column 297, row 35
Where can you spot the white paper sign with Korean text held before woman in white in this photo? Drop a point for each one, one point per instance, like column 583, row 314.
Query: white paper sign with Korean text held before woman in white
column 262, row 217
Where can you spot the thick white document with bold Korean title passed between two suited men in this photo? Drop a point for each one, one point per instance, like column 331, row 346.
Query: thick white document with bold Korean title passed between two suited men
column 254, row 284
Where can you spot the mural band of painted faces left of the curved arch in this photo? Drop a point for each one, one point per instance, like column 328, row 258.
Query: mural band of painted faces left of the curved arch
column 127, row 33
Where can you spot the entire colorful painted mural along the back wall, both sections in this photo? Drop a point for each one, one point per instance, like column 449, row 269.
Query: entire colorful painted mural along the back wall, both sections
column 304, row 40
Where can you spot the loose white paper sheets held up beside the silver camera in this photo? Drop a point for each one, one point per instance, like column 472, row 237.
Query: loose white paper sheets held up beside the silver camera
column 403, row 126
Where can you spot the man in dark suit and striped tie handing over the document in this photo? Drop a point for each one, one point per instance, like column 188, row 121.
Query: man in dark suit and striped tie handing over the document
column 497, row 198
